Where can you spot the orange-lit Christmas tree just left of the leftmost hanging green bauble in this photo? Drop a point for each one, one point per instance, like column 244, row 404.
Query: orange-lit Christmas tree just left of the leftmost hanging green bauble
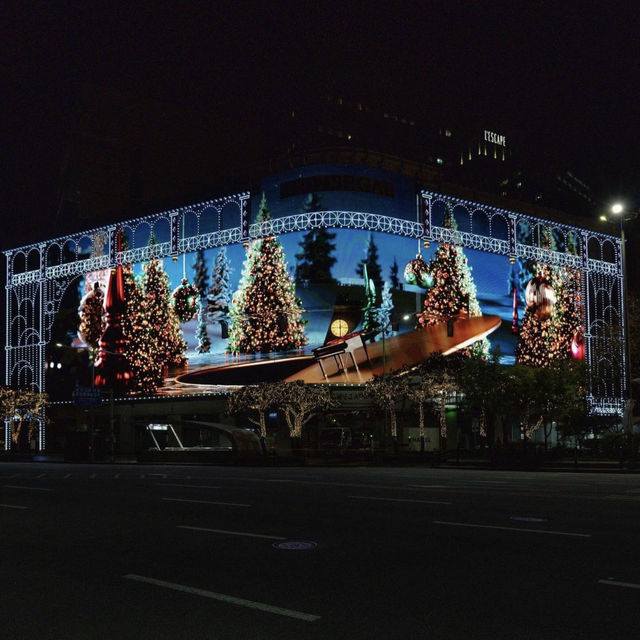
column 165, row 336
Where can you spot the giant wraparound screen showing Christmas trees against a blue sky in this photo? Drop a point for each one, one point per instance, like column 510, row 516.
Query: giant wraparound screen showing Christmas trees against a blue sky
column 324, row 306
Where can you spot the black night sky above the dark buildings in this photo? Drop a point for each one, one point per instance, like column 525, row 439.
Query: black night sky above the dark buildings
column 566, row 73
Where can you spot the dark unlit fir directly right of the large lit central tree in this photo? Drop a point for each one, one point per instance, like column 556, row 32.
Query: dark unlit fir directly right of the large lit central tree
column 315, row 259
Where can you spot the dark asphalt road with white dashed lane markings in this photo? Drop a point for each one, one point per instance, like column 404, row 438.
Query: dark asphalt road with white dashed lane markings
column 125, row 551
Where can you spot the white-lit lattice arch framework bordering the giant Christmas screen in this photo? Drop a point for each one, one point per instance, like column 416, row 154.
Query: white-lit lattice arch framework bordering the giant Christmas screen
column 39, row 274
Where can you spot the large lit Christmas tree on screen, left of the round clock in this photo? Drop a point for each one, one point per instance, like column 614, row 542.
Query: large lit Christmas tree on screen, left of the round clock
column 265, row 313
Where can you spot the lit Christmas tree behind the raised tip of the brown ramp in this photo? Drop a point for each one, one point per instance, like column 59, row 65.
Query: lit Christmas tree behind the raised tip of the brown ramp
column 453, row 292
